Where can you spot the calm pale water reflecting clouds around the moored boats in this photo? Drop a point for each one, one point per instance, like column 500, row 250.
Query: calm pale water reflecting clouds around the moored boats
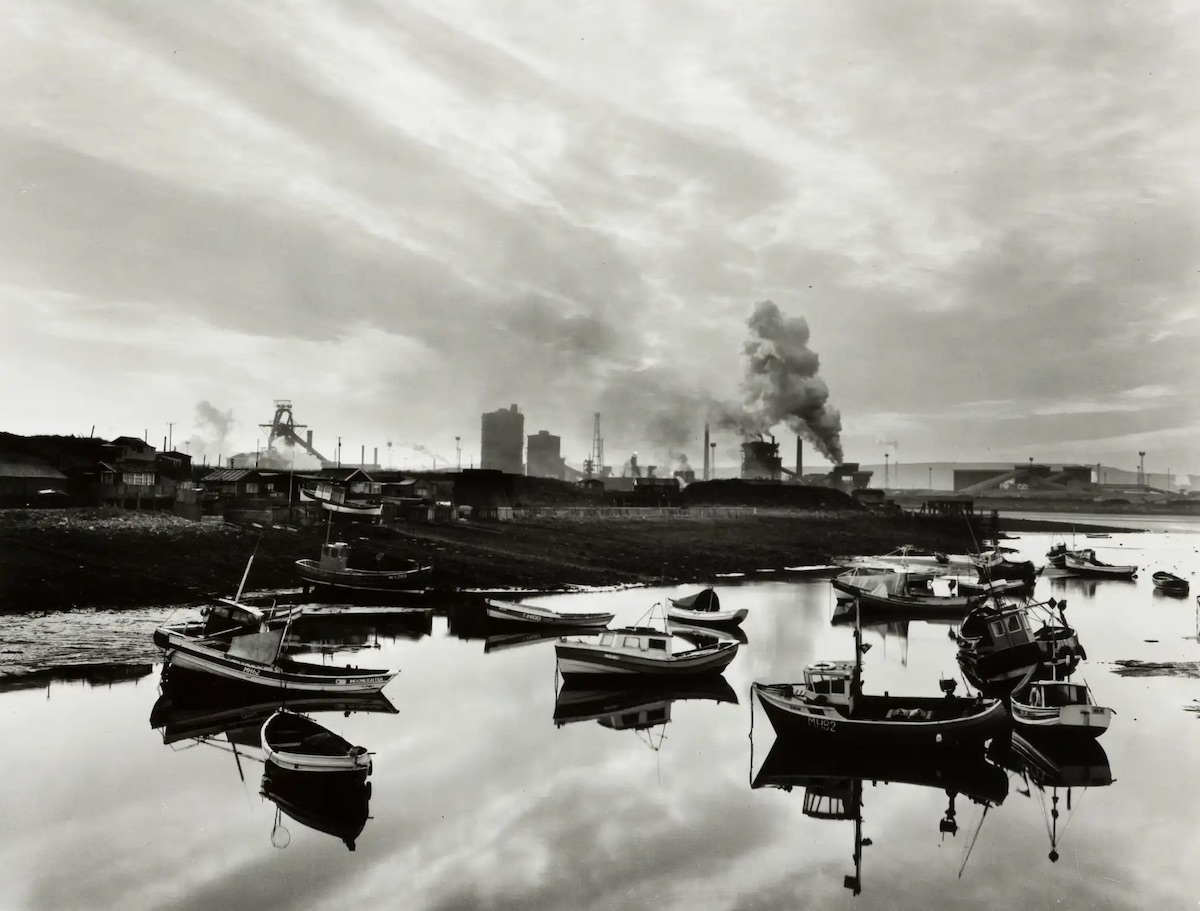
column 479, row 800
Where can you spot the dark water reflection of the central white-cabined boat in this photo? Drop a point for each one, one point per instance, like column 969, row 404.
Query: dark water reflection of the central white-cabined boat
column 633, row 708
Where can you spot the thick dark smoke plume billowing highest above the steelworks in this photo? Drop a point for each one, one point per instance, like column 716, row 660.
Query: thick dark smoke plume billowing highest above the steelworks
column 782, row 385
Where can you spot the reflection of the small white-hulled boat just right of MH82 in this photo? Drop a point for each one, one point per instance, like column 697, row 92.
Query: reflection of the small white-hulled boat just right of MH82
column 1049, row 766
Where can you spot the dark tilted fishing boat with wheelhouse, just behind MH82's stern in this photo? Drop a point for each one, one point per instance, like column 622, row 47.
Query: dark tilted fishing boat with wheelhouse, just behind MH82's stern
column 998, row 649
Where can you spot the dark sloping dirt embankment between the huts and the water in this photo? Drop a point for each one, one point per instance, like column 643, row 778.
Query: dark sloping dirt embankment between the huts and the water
column 63, row 559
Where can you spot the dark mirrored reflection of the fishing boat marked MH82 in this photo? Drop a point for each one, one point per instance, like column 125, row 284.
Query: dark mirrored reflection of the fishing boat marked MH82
column 833, row 782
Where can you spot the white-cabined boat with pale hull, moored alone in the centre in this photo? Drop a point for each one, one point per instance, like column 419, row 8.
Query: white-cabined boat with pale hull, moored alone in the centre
column 639, row 652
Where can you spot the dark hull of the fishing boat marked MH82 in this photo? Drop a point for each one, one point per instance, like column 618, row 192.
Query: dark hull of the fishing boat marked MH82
column 917, row 722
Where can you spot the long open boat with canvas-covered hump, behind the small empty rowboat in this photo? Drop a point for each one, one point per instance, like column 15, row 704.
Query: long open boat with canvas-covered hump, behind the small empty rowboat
column 254, row 660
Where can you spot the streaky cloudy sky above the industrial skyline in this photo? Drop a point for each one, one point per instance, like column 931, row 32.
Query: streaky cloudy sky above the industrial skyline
column 400, row 215
